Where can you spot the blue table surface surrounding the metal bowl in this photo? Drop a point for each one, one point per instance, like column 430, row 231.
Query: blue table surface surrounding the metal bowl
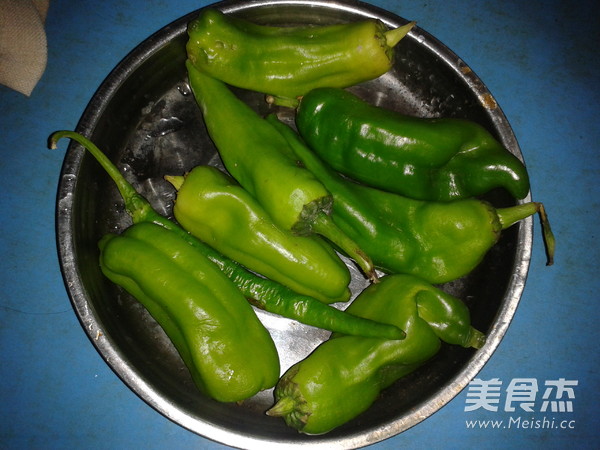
column 540, row 61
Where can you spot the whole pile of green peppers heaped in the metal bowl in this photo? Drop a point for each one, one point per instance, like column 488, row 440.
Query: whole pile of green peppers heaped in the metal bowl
column 394, row 194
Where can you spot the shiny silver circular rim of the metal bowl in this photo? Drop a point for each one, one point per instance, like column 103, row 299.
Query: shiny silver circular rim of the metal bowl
column 135, row 380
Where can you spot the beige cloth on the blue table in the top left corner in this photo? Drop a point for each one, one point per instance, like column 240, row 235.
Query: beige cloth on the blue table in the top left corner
column 23, row 48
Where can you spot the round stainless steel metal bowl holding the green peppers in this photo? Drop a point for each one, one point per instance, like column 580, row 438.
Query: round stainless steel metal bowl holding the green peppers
column 144, row 117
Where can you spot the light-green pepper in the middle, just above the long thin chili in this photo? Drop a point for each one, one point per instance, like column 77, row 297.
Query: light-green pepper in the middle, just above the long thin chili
column 218, row 211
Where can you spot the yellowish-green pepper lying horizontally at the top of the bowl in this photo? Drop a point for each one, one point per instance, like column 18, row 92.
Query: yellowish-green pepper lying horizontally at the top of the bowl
column 290, row 61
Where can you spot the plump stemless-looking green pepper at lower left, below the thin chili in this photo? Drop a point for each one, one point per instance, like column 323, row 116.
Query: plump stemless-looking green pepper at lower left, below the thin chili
column 229, row 353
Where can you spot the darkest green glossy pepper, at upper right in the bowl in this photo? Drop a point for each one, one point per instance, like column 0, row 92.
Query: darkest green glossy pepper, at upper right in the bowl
column 427, row 159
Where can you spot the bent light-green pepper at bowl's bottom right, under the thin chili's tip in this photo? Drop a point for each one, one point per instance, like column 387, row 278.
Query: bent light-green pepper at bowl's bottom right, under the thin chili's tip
column 343, row 376
